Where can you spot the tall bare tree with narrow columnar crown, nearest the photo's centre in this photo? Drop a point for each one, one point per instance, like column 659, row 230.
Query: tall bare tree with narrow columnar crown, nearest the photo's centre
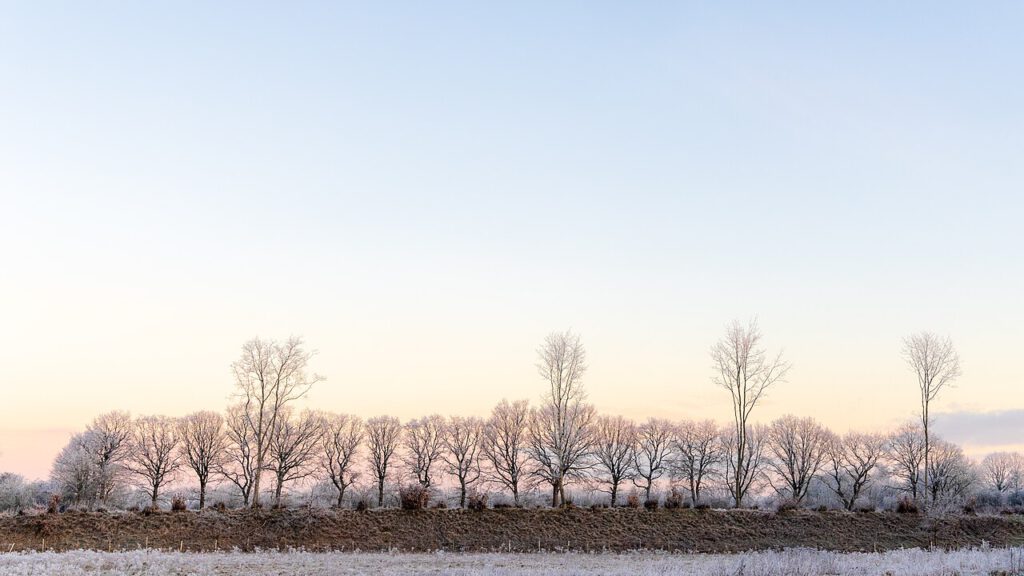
column 561, row 431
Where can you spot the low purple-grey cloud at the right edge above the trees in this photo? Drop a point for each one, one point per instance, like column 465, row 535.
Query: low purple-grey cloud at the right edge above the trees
column 991, row 430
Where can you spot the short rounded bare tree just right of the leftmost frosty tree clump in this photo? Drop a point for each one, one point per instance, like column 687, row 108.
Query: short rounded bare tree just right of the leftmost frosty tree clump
column 155, row 456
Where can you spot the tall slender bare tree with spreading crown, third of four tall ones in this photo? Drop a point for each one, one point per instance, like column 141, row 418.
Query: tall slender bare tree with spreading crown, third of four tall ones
column 747, row 372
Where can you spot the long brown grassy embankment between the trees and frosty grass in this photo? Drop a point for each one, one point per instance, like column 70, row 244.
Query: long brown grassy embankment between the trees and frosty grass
column 506, row 531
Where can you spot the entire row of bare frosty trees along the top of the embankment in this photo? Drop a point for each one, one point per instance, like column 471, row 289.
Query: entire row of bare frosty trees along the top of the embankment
column 560, row 451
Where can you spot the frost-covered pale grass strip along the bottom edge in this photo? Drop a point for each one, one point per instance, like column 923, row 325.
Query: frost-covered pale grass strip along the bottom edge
column 789, row 563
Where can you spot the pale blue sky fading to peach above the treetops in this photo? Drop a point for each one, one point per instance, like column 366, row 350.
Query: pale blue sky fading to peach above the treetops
column 424, row 191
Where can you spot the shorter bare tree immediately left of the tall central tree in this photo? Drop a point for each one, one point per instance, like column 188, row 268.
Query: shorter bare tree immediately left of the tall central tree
column 504, row 445
